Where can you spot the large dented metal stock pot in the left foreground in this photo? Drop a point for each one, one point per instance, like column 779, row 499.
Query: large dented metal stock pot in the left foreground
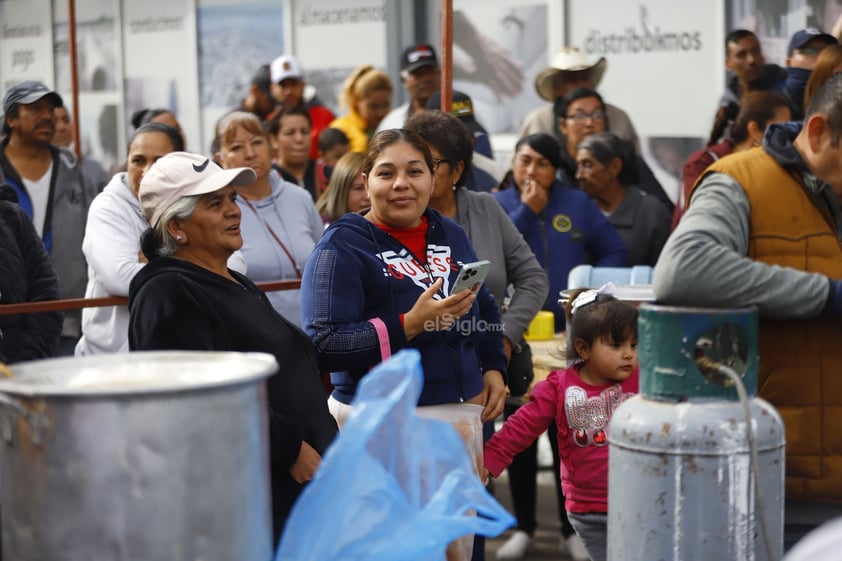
column 159, row 456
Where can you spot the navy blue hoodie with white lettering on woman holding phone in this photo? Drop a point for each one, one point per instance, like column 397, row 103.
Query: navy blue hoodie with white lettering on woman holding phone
column 358, row 272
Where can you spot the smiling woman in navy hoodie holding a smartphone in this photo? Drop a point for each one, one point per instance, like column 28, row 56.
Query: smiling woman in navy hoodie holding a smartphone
column 381, row 282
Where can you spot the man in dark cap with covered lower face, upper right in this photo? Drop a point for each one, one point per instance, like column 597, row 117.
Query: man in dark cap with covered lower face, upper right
column 801, row 56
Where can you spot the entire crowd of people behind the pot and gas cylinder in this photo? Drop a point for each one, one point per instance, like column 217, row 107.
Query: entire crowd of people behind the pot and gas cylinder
column 376, row 210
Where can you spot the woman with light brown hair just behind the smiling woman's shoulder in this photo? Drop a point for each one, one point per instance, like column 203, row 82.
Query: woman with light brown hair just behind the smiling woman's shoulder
column 346, row 191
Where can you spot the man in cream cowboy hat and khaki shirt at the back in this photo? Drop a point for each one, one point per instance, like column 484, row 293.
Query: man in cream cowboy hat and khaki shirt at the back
column 571, row 69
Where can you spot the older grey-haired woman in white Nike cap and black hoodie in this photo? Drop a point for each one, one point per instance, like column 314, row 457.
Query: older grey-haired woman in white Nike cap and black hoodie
column 186, row 298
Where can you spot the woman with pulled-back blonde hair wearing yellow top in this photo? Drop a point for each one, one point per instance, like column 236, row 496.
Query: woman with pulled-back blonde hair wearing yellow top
column 367, row 94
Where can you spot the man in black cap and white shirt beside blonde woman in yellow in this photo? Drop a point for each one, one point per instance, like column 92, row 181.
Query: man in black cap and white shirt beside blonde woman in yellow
column 420, row 76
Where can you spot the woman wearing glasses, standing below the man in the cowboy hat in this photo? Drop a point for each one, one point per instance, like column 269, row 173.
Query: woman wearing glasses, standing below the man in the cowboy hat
column 581, row 114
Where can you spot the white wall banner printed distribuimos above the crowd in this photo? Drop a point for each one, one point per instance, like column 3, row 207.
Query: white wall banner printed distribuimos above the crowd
column 665, row 59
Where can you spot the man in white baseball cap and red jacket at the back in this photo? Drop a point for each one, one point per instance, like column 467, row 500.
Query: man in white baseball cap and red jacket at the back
column 289, row 89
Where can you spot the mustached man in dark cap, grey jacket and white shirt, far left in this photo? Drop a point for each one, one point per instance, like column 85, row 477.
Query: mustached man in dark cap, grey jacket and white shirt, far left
column 51, row 188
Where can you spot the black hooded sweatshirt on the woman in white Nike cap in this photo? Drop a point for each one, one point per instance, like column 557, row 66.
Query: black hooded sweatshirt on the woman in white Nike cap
column 176, row 305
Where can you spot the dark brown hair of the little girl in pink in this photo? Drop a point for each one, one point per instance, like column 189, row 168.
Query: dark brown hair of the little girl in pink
column 605, row 318
